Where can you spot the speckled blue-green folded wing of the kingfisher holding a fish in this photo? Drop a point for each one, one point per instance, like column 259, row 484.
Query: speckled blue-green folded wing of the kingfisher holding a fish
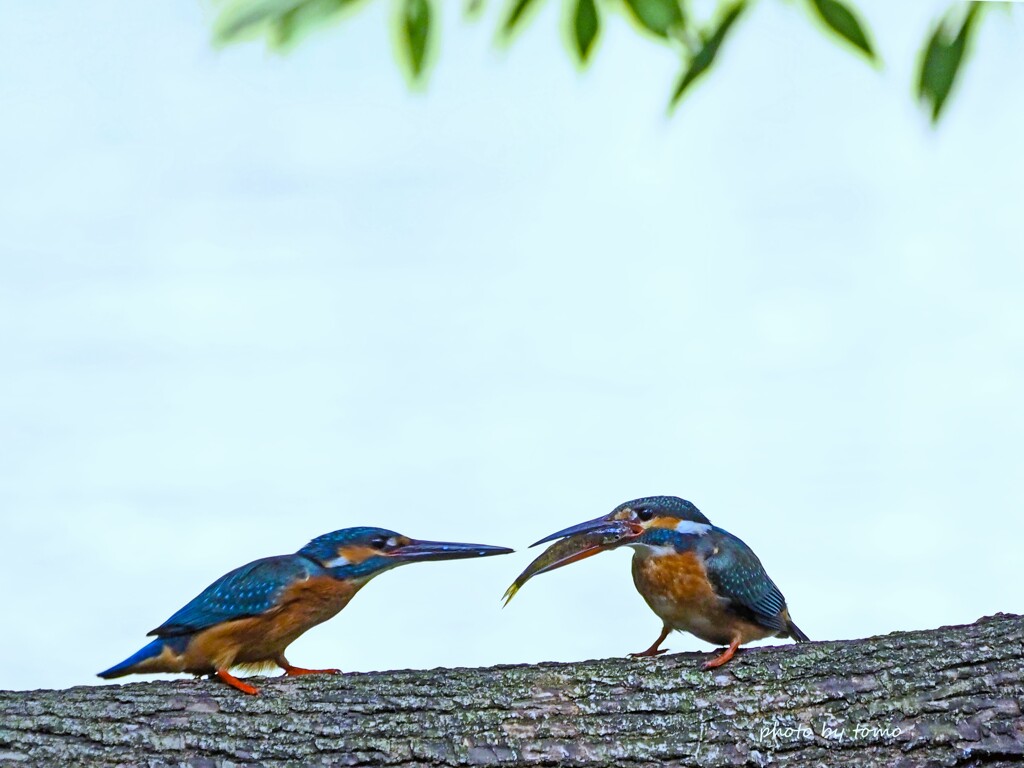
column 738, row 575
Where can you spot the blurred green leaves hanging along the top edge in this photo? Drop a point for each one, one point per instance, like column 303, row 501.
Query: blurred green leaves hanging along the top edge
column 673, row 23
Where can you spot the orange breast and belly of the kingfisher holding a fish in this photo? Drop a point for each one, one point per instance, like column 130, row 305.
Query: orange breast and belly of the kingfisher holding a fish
column 677, row 589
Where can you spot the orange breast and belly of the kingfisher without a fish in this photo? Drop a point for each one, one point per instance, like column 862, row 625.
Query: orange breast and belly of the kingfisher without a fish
column 260, row 641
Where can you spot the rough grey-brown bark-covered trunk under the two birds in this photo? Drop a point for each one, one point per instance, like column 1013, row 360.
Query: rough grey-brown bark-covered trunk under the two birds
column 951, row 697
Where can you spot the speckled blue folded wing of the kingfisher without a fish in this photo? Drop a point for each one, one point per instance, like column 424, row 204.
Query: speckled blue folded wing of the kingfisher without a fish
column 248, row 591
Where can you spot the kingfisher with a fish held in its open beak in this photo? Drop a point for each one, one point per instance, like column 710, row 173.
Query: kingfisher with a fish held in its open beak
column 697, row 577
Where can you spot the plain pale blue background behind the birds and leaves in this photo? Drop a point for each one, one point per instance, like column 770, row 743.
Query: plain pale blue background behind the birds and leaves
column 246, row 301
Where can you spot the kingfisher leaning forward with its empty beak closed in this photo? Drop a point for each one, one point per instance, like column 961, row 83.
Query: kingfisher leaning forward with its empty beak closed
column 250, row 616
